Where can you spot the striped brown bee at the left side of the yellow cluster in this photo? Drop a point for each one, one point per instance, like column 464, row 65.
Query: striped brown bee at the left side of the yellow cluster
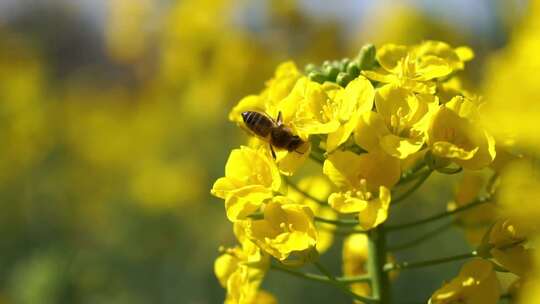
column 274, row 132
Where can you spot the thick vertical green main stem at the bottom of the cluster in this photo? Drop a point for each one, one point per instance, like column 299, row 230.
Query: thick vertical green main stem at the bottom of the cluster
column 380, row 284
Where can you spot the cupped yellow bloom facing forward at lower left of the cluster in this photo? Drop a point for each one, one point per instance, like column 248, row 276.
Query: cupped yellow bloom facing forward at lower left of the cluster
column 286, row 232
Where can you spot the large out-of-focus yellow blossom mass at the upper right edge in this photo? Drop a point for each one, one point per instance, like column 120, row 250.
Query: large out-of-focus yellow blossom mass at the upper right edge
column 512, row 84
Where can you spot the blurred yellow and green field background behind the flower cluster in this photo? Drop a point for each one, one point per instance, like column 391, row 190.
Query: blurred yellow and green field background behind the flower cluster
column 113, row 118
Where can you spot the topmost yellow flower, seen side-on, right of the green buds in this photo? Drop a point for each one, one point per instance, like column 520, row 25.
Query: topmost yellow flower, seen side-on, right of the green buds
column 416, row 67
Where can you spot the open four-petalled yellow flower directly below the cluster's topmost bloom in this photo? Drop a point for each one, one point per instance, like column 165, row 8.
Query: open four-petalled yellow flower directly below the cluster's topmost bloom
column 399, row 126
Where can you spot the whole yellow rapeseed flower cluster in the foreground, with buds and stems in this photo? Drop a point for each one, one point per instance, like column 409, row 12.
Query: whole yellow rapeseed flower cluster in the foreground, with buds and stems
column 378, row 131
